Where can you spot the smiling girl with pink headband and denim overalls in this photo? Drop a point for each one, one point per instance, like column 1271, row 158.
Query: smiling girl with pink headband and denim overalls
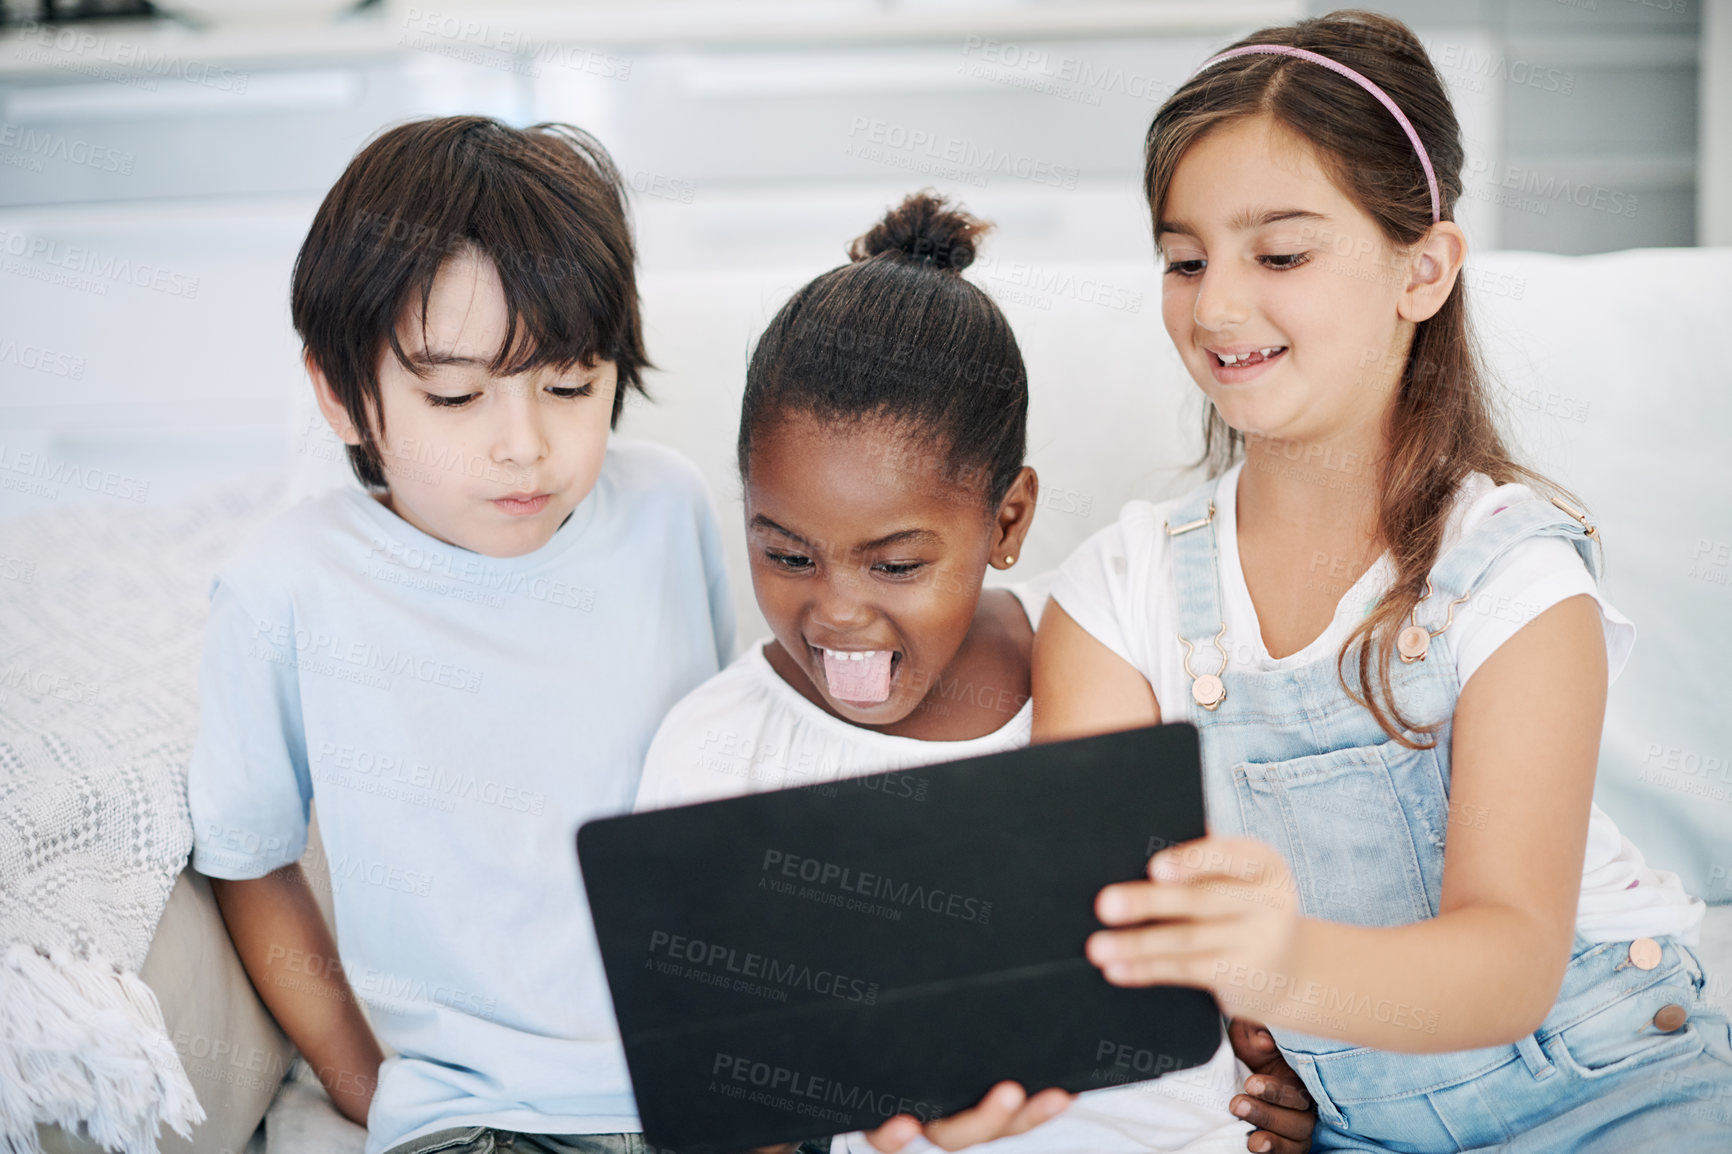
column 1395, row 645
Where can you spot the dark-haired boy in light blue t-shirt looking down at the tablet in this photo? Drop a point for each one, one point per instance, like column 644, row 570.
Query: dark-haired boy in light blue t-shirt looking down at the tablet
column 463, row 663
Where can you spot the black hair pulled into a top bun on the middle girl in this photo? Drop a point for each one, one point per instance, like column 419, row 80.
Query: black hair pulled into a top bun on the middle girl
column 900, row 335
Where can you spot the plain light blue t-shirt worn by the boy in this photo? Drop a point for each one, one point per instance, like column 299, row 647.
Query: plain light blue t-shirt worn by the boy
column 456, row 718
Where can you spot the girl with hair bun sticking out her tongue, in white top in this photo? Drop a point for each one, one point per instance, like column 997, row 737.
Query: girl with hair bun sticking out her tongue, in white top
column 881, row 450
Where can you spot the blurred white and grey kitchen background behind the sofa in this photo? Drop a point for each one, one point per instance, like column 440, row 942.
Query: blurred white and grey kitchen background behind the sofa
column 157, row 174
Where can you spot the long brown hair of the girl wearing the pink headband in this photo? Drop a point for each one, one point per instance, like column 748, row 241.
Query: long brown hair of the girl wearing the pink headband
column 1440, row 427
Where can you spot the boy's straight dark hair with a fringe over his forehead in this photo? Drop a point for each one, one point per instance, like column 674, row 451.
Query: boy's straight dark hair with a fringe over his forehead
column 546, row 205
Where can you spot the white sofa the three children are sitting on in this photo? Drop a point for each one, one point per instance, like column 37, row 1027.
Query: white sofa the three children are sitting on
column 1613, row 384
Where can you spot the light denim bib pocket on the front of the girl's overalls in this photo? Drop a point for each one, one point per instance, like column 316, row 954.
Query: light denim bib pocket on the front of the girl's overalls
column 1360, row 829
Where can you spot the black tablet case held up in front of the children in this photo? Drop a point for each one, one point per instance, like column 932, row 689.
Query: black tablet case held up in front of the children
column 822, row 959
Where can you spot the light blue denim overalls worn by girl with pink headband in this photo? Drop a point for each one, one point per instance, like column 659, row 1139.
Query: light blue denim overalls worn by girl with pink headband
column 1362, row 824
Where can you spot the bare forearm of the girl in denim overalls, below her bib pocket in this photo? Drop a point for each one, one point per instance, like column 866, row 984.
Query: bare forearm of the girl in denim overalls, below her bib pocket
column 1464, row 980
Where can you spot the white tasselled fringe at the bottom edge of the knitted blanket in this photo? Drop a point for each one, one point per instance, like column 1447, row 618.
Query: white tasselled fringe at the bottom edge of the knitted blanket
column 82, row 1042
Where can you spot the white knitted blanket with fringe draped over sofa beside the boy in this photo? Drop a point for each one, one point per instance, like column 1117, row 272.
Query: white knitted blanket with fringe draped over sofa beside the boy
column 101, row 632
